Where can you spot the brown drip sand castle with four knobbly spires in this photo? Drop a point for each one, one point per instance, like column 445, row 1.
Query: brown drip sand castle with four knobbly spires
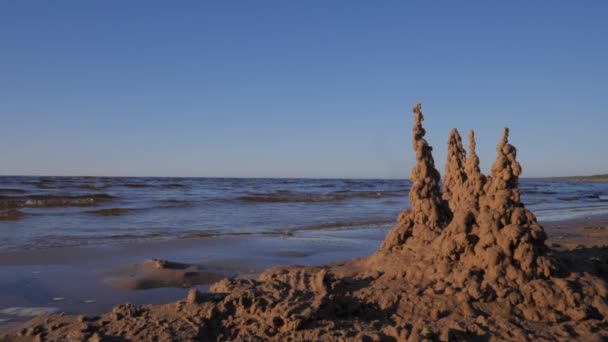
column 477, row 226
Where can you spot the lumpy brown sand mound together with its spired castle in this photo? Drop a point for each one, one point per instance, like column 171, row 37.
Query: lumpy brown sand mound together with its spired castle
column 467, row 262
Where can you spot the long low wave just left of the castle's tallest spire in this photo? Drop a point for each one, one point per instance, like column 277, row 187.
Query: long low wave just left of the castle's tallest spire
column 284, row 196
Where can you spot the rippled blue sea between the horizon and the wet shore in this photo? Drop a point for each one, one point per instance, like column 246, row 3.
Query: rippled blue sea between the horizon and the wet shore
column 42, row 212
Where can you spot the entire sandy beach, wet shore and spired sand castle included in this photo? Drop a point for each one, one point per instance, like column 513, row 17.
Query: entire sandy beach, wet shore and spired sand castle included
column 467, row 261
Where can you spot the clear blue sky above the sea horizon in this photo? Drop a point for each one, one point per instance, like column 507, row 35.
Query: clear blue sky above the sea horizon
column 297, row 88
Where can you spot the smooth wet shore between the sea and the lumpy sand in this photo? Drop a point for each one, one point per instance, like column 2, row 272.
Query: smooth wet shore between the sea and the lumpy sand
column 33, row 278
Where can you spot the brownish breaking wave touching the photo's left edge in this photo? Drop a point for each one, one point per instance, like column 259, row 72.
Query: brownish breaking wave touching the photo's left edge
column 47, row 201
